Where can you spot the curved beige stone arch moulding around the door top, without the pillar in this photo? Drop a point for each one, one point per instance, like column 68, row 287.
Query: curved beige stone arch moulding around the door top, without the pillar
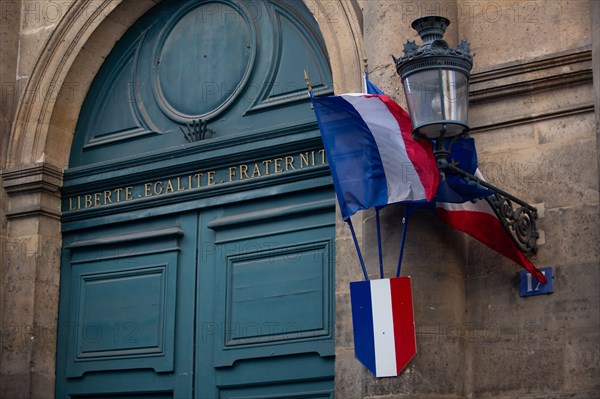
column 60, row 62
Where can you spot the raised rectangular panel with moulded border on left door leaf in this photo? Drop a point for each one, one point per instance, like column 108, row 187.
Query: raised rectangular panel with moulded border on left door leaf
column 125, row 315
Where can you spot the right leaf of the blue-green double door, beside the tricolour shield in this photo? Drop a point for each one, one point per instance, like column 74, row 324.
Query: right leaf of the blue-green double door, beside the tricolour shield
column 270, row 278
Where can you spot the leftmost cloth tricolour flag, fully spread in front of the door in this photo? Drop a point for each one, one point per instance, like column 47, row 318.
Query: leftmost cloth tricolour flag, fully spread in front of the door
column 373, row 158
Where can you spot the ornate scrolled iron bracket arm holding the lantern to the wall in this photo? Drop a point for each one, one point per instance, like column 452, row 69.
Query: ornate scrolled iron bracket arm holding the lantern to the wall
column 518, row 222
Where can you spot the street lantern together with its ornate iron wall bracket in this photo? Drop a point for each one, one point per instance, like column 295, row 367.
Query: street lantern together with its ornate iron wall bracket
column 436, row 84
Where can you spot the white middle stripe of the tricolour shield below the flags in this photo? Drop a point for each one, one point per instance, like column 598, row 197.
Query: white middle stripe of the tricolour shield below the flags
column 383, row 328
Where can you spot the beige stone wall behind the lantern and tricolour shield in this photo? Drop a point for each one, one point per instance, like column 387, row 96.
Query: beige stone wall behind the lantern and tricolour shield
column 532, row 117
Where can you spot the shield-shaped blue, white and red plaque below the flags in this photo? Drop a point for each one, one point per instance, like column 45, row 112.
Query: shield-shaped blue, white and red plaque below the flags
column 384, row 325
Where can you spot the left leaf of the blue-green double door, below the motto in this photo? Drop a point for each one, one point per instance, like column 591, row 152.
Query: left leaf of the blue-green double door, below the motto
column 126, row 313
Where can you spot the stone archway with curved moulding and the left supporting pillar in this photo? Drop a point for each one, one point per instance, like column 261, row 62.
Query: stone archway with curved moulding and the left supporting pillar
column 38, row 151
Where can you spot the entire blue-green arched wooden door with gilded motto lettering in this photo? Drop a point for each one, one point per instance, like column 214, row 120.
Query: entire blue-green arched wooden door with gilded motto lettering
column 200, row 263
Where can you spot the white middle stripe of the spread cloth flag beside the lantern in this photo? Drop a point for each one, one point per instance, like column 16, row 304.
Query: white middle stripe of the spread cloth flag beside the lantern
column 403, row 182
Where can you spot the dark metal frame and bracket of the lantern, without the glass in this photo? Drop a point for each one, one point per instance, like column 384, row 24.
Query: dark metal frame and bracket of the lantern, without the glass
column 517, row 216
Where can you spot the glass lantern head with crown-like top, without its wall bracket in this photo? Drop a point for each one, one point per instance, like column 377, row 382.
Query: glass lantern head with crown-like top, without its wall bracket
column 436, row 81
